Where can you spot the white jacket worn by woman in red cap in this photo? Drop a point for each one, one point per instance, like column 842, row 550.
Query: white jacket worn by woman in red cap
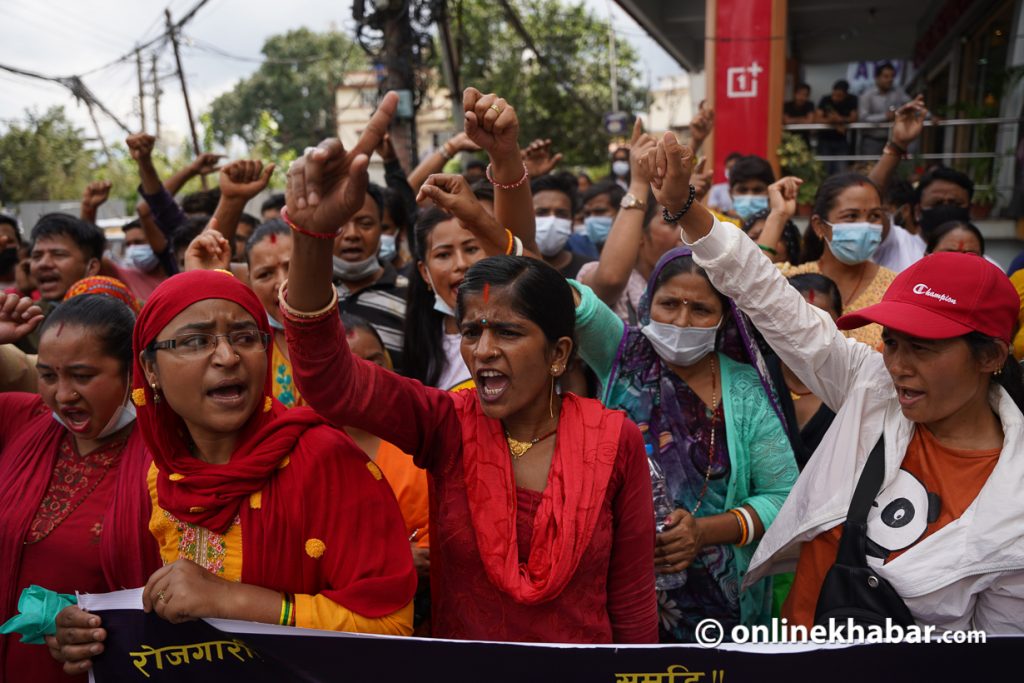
column 970, row 574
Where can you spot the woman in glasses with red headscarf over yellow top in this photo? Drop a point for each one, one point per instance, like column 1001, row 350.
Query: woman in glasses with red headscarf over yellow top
column 262, row 514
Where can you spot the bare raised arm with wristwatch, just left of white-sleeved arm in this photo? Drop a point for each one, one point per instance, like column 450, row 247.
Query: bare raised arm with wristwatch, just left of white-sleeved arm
column 619, row 258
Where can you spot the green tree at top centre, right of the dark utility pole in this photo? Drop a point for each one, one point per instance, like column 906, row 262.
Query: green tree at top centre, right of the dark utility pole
column 564, row 101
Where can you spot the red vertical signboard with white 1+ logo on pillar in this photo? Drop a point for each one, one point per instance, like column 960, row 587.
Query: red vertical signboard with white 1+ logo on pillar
column 743, row 41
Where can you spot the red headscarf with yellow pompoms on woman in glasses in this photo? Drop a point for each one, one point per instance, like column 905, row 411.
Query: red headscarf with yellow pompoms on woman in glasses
column 291, row 461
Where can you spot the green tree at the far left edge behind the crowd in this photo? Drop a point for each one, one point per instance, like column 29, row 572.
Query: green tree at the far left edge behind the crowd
column 46, row 158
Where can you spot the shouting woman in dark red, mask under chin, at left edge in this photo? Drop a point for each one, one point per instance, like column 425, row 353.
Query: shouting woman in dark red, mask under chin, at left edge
column 73, row 505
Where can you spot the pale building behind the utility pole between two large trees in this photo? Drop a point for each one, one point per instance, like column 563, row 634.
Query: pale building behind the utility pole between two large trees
column 356, row 101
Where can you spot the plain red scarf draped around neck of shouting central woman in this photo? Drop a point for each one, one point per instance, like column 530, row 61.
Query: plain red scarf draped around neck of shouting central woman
column 585, row 456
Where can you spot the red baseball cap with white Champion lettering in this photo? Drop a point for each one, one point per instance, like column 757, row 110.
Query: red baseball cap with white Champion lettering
column 946, row 295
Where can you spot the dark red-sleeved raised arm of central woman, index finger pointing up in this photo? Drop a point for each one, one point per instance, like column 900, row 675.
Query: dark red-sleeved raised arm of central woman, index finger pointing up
column 325, row 189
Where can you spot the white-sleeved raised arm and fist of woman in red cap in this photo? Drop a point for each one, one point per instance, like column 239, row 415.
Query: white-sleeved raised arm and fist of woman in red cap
column 805, row 338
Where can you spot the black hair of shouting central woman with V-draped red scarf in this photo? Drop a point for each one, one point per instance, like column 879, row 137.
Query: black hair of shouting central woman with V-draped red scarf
column 539, row 293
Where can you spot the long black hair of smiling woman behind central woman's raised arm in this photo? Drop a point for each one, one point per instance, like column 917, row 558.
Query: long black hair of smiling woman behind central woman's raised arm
column 423, row 347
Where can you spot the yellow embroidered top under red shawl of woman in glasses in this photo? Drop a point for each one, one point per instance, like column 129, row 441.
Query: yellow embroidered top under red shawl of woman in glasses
column 222, row 556
